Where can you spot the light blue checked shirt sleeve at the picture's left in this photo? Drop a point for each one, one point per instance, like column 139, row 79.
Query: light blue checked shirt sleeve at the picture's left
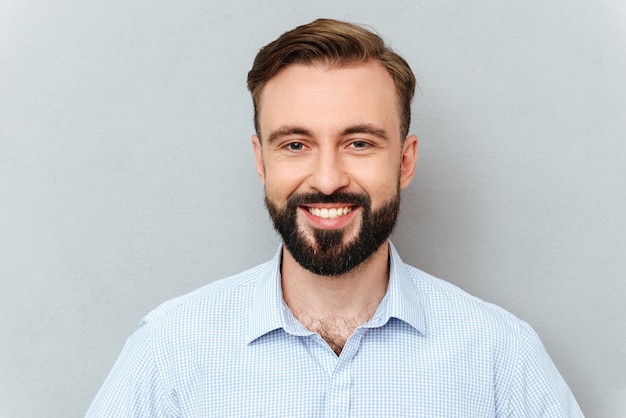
column 134, row 387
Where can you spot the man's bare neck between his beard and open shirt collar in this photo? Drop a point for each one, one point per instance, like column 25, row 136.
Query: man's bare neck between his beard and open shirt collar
column 348, row 299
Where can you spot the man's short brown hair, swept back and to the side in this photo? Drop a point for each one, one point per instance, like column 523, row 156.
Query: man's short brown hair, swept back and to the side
column 331, row 42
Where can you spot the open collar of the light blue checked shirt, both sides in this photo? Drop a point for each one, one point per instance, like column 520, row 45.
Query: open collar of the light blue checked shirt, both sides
column 269, row 311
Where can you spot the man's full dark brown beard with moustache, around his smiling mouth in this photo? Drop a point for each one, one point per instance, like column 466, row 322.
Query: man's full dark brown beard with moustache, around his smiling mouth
column 329, row 256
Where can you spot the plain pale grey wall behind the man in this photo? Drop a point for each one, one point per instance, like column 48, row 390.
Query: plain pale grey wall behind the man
column 127, row 175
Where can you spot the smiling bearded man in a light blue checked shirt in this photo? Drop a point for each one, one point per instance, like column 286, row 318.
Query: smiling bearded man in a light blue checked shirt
column 335, row 324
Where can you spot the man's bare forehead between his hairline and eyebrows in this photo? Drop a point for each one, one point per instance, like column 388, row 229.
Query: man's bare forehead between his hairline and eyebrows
column 323, row 96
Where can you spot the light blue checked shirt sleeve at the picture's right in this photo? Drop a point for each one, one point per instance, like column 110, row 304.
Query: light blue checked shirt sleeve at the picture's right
column 538, row 390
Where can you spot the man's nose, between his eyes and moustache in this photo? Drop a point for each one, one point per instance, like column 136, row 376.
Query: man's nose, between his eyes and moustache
column 329, row 172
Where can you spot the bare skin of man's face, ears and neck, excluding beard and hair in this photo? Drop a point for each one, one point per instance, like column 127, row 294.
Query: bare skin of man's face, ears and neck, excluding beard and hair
column 327, row 129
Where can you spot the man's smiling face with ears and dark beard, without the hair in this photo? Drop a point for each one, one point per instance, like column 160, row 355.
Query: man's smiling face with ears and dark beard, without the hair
column 332, row 162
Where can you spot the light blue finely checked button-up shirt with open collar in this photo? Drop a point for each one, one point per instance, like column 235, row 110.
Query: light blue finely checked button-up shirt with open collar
column 233, row 349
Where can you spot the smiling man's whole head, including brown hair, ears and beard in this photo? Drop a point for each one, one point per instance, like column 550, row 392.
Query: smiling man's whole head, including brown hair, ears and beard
column 332, row 107
